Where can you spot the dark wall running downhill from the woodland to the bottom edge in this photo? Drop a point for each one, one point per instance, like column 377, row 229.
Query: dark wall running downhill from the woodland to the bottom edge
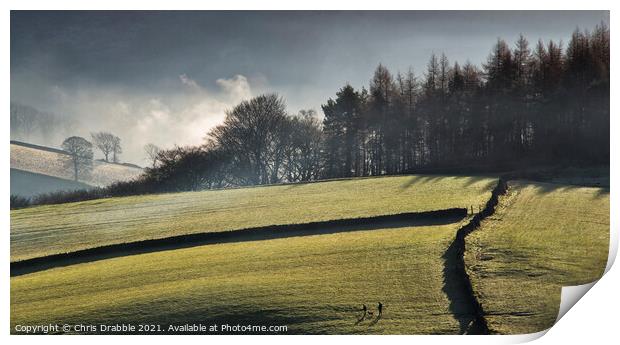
column 454, row 257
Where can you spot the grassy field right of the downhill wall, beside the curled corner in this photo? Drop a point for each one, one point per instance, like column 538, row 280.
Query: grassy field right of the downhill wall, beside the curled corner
column 543, row 236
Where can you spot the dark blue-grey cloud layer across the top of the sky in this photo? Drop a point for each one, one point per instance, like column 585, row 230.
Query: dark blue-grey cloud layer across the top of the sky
column 145, row 47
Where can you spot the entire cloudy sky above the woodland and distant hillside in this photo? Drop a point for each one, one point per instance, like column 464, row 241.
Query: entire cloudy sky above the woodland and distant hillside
column 168, row 77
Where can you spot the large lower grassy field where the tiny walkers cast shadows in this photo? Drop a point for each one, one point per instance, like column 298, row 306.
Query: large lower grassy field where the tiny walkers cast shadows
column 313, row 284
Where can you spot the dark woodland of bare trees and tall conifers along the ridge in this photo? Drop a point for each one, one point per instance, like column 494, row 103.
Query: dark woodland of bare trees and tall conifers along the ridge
column 529, row 105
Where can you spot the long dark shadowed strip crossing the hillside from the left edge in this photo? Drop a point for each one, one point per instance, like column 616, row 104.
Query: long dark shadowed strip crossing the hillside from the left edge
column 429, row 218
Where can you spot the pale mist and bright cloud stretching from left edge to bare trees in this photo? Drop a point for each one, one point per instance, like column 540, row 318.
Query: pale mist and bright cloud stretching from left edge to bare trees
column 181, row 116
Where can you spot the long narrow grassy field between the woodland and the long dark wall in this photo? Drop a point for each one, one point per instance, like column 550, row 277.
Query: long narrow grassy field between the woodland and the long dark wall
column 44, row 230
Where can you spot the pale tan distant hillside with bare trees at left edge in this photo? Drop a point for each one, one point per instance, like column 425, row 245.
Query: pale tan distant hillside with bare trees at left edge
column 48, row 161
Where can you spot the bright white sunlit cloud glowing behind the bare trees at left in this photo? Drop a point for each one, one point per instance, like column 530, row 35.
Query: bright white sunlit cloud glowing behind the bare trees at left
column 177, row 117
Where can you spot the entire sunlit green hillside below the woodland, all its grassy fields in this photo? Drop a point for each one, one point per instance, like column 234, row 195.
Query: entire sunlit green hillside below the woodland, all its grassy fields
column 540, row 237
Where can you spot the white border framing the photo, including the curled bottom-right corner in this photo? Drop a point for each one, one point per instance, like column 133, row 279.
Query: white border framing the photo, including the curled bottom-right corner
column 592, row 319
